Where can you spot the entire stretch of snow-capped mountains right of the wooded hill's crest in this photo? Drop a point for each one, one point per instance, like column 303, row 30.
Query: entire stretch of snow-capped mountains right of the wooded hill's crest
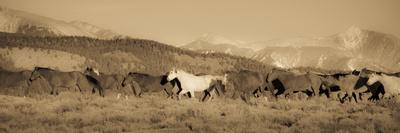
column 355, row 48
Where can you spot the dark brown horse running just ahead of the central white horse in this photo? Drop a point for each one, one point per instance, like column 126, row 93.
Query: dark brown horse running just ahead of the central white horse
column 141, row 83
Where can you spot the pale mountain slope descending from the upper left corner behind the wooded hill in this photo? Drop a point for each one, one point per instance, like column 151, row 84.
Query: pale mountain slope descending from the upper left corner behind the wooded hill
column 15, row 21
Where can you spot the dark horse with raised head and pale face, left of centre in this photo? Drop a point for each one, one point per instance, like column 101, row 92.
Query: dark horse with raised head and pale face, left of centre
column 109, row 82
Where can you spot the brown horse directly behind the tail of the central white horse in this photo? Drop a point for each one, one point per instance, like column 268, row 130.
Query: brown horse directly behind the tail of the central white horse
column 245, row 84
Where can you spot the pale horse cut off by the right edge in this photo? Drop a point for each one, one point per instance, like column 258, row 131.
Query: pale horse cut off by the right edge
column 391, row 84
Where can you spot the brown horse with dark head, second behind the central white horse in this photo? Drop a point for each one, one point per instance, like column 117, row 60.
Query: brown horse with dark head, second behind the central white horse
column 286, row 83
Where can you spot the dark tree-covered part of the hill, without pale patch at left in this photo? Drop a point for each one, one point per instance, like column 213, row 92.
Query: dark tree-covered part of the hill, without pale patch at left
column 153, row 57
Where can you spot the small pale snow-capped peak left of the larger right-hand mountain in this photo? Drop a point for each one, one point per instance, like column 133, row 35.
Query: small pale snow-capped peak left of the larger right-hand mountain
column 212, row 43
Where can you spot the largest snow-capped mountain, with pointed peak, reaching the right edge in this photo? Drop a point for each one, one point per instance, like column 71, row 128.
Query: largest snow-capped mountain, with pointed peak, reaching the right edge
column 353, row 49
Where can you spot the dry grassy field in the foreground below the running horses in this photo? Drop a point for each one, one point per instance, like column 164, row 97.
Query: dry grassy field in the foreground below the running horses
column 73, row 112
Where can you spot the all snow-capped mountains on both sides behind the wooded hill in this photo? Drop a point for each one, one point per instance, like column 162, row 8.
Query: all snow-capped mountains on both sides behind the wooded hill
column 355, row 48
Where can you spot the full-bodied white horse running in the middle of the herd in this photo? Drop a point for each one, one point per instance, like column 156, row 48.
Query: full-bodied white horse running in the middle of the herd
column 192, row 83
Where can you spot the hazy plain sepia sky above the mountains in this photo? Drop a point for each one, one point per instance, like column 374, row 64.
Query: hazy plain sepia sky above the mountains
column 181, row 21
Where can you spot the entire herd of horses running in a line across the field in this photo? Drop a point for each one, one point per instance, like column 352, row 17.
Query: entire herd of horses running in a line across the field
column 244, row 84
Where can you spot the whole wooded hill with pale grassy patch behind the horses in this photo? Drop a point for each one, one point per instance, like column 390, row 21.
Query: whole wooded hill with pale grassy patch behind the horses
column 112, row 56
